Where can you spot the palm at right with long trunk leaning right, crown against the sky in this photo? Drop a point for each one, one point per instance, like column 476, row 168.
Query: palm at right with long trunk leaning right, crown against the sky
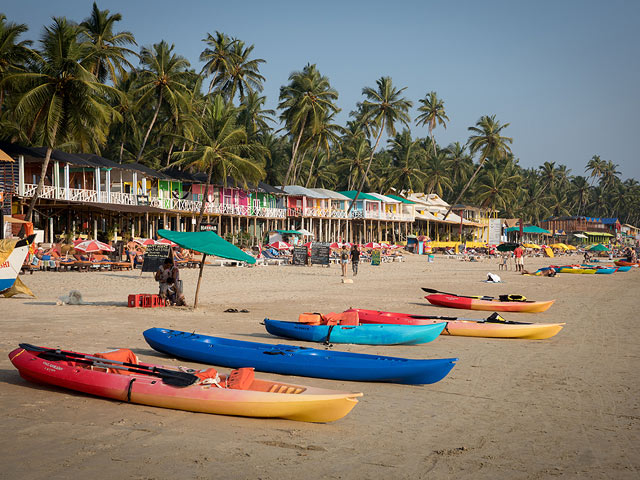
column 487, row 140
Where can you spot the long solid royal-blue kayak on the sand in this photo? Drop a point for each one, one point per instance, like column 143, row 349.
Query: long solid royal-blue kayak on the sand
column 294, row 360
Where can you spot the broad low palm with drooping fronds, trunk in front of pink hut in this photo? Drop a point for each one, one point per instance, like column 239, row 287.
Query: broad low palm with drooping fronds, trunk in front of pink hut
column 221, row 148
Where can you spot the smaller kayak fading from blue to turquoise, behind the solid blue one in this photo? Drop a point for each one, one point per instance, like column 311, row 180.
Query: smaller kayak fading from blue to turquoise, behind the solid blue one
column 368, row 334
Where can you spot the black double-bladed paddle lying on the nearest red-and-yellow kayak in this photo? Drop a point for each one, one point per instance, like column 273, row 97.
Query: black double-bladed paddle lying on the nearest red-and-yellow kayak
column 169, row 377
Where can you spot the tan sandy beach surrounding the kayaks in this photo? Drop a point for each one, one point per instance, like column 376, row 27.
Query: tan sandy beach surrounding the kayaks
column 515, row 409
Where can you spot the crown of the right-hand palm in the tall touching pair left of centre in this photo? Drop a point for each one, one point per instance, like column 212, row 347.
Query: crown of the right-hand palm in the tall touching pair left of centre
column 242, row 75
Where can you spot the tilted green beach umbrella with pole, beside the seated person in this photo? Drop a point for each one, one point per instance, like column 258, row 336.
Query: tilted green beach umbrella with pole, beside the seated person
column 207, row 243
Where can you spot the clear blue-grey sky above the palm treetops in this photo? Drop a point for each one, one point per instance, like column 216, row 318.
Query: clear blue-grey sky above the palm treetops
column 564, row 74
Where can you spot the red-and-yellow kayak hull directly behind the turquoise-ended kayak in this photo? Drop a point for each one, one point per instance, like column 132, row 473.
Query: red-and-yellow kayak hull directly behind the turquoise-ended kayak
column 465, row 328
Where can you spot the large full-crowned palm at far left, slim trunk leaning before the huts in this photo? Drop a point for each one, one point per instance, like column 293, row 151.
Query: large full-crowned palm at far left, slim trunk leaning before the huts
column 64, row 101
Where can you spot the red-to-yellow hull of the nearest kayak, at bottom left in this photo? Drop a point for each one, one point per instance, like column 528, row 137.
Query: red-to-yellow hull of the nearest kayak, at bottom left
column 304, row 403
